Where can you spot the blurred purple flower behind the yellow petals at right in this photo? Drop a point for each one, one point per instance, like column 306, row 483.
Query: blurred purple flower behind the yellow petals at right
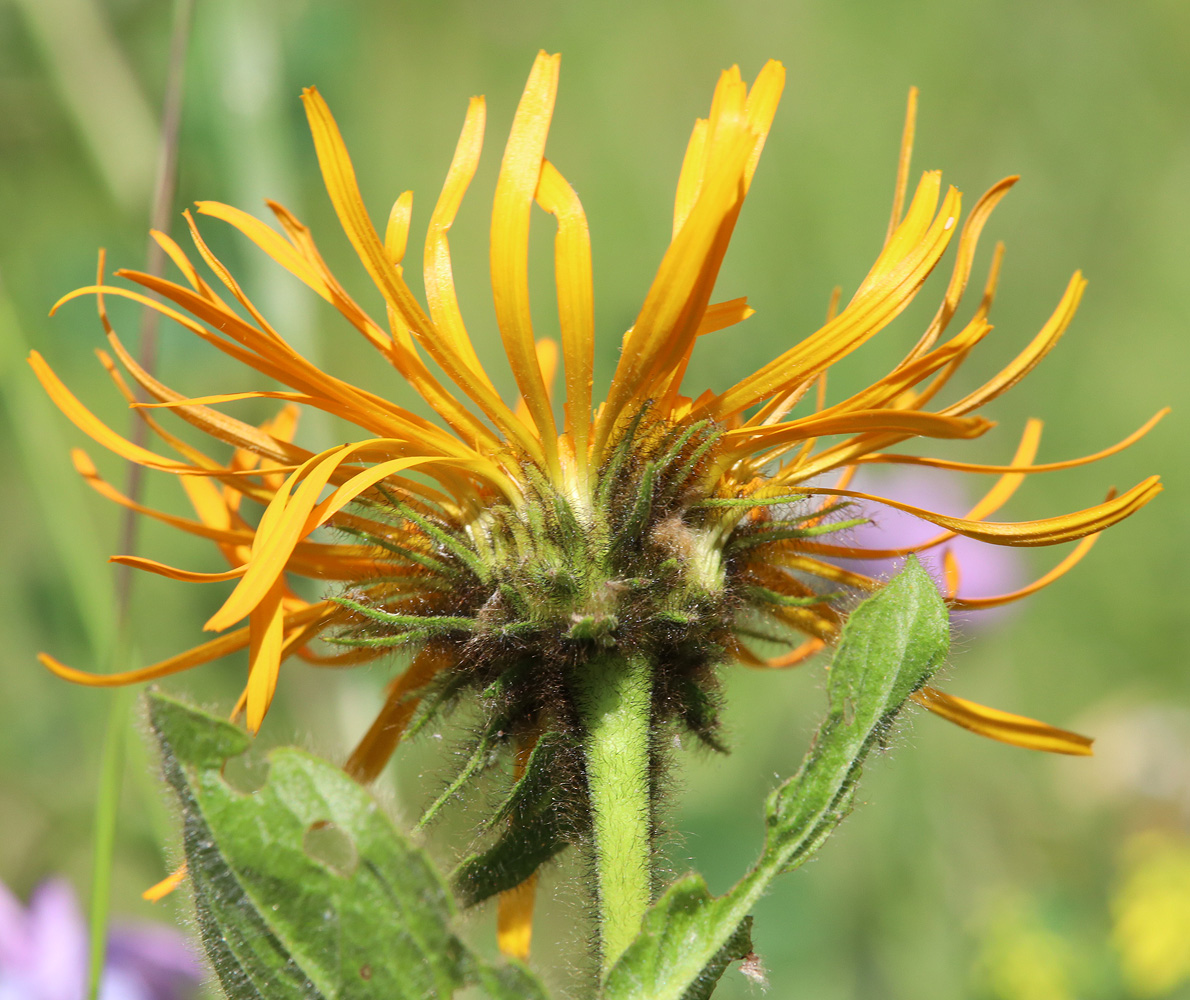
column 986, row 571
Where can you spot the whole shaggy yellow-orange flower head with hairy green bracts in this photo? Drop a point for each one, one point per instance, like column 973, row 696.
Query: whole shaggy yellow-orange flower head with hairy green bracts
column 506, row 542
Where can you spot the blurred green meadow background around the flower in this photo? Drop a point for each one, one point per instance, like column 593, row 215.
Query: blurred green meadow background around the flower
column 970, row 870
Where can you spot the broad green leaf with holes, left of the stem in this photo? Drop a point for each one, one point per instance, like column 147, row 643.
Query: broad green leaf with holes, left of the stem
column 304, row 887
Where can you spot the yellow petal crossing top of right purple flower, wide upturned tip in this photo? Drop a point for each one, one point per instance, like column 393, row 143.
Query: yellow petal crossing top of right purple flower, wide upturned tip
column 1047, row 532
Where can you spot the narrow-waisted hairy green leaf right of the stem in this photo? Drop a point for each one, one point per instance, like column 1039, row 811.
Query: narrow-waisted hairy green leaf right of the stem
column 891, row 647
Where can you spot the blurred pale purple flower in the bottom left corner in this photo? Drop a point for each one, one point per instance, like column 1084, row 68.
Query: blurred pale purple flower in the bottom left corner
column 43, row 953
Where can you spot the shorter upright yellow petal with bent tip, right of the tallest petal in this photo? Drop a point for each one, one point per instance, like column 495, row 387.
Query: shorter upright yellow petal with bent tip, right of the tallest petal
column 577, row 302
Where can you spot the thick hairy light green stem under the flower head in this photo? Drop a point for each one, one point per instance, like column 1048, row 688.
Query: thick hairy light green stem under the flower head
column 615, row 699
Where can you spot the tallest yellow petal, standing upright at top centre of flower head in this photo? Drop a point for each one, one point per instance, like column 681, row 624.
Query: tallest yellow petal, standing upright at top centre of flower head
column 516, row 189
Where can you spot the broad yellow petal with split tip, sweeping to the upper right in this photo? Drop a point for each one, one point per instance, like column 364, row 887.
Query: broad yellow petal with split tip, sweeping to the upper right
column 891, row 286
